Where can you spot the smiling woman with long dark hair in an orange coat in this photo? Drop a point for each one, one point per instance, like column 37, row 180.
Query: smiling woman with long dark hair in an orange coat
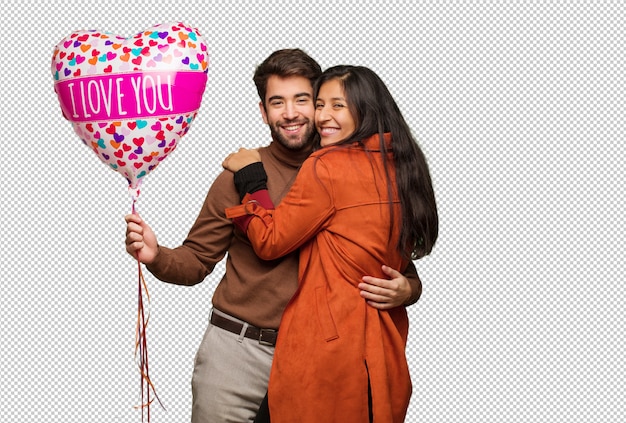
column 364, row 198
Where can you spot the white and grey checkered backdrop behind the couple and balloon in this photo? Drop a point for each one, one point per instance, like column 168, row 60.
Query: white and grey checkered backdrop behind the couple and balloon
column 520, row 109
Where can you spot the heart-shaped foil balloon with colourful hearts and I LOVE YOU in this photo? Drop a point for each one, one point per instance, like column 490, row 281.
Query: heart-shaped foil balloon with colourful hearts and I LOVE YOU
column 131, row 99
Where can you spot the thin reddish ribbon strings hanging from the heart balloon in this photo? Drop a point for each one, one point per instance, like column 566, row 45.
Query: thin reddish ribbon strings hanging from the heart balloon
column 141, row 346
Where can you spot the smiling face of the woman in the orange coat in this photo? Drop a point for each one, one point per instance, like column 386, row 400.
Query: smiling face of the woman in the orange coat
column 333, row 119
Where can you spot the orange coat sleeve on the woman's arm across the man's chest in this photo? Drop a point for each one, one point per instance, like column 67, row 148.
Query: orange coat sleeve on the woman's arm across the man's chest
column 301, row 214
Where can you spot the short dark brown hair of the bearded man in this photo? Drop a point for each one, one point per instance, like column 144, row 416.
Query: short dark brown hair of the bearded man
column 285, row 63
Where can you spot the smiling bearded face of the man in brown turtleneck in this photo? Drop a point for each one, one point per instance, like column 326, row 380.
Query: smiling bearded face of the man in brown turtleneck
column 289, row 111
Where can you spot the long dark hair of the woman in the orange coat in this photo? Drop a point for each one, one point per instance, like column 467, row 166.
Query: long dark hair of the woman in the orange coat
column 375, row 112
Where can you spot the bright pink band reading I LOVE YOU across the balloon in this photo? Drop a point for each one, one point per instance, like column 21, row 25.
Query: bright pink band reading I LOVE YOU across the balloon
column 130, row 95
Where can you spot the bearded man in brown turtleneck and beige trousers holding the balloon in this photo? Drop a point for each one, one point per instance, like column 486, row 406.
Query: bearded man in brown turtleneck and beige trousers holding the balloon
column 233, row 361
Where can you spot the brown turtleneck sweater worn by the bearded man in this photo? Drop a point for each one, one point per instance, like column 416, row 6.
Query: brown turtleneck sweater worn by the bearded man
column 251, row 289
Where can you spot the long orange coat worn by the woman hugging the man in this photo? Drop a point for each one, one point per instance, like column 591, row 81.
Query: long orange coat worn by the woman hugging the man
column 331, row 344
